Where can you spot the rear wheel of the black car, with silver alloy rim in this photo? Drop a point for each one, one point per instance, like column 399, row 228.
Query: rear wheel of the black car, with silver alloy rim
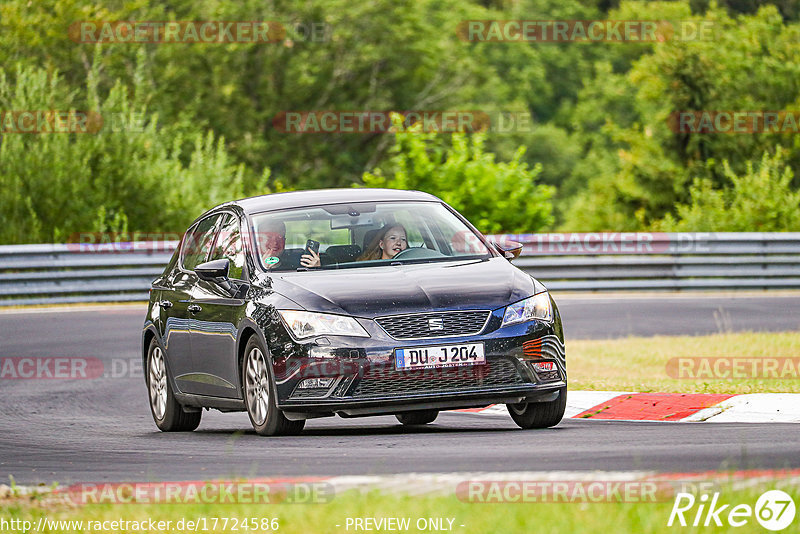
column 167, row 413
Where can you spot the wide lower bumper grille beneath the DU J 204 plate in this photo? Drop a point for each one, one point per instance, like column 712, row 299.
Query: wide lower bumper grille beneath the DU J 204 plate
column 388, row 381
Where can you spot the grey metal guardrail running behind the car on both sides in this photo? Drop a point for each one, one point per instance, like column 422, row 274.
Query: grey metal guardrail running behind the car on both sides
column 66, row 273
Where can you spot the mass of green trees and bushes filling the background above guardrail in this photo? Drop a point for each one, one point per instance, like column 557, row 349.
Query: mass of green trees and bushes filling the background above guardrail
column 198, row 118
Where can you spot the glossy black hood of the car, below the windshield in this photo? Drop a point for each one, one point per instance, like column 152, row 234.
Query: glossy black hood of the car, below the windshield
column 375, row 291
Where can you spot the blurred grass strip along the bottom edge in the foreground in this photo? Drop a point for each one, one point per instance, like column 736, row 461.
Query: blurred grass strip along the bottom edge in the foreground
column 331, row 517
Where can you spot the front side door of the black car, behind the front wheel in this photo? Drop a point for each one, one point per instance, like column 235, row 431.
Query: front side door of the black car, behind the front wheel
column 215, row 324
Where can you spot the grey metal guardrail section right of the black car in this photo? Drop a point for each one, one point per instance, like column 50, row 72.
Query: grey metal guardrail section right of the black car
column 661, row 261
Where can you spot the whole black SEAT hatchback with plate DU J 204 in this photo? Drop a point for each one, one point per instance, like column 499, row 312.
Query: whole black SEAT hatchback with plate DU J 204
column 353, row 302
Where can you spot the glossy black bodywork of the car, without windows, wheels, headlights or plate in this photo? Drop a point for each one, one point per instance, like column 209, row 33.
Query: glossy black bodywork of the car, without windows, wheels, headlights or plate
column 203, row 326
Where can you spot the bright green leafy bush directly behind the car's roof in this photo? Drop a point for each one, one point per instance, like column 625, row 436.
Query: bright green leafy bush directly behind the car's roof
column 496, row 196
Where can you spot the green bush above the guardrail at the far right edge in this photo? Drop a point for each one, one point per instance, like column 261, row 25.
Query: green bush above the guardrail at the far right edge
column 761, row 200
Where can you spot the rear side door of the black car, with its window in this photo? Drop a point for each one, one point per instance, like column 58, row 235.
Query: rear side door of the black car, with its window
column 176, row 304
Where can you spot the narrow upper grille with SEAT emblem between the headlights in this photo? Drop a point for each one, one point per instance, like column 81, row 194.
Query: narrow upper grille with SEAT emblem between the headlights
column 442, row 324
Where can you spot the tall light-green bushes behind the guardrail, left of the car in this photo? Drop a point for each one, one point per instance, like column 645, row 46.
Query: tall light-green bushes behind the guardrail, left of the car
column 130, row 174
